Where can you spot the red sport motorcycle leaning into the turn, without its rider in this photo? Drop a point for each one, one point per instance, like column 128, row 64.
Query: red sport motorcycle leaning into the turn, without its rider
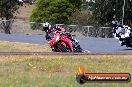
column 60, row 42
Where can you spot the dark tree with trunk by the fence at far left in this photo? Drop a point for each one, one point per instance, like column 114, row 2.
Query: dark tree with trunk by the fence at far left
column 7, row 9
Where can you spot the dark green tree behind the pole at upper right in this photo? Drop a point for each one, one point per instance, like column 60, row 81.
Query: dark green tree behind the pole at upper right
column 105, row 10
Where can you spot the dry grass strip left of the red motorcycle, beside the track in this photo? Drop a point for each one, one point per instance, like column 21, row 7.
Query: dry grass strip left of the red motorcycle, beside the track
column 6, row 46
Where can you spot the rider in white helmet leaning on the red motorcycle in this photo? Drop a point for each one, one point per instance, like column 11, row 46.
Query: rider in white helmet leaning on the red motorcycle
column 52, row 29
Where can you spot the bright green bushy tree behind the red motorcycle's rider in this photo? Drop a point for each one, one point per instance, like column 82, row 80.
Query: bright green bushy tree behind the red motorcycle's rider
column 55, row 11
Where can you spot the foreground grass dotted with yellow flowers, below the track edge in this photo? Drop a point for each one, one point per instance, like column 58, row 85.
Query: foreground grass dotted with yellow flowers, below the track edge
column 59, row 71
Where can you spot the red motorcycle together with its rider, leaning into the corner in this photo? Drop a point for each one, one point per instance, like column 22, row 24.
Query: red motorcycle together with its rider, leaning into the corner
column 61, row 41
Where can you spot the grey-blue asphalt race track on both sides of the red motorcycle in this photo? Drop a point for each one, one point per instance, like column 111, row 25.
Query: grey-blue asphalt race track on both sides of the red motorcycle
column 94, row 45
